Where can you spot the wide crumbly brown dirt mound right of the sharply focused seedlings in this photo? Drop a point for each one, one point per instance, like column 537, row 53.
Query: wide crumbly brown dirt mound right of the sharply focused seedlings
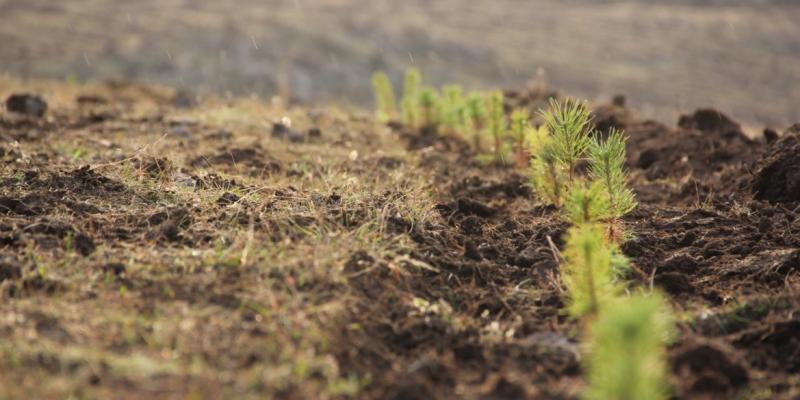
column 706, row 155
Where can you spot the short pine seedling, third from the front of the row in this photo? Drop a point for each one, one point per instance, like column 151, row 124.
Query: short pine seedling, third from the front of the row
column 586, row 203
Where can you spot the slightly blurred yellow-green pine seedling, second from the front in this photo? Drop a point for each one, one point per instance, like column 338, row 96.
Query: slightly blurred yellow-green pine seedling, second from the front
column 587, row 272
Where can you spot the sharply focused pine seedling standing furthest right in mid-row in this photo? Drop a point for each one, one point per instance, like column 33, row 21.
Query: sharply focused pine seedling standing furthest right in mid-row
column 607, row 166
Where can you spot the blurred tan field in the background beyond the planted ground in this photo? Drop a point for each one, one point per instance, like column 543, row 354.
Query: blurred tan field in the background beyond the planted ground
column 667, row 57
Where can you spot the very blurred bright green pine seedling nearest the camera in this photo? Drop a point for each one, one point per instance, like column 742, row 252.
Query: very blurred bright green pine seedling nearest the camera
column 626, row 356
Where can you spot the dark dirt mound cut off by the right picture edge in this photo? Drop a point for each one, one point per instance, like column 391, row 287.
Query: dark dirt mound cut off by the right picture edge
column 777, row 178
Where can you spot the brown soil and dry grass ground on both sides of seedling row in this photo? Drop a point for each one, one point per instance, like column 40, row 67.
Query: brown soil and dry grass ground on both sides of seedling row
column 216, row 251
